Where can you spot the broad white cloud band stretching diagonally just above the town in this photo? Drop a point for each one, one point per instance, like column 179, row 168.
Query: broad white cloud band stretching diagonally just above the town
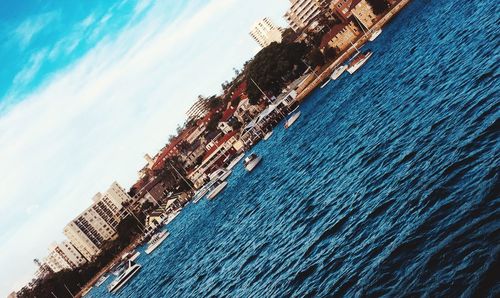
column 92, row 123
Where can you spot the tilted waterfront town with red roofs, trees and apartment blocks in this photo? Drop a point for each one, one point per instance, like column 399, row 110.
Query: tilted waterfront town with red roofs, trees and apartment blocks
column 322, row 43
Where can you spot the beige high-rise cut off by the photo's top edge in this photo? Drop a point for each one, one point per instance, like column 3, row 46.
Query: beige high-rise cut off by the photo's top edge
column 301, row 13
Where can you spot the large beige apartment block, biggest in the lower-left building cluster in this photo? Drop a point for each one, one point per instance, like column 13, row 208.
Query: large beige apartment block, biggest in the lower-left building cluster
column 98, row 223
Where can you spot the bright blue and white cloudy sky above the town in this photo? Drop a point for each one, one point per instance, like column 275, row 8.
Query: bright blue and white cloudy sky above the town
column 87, row 88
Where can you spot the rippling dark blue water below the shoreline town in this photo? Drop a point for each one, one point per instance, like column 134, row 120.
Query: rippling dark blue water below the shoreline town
column 388, row 184
